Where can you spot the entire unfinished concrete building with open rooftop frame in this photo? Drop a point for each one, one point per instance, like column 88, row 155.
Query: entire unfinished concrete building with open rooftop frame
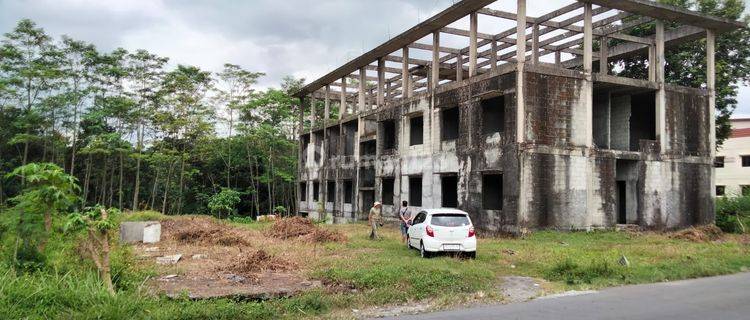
column 523, row 127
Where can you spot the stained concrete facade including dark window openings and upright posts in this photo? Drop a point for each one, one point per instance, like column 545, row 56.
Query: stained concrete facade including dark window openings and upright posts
column 519, row 145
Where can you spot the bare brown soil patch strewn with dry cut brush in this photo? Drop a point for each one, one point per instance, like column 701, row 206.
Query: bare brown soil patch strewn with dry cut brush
column 220, row 260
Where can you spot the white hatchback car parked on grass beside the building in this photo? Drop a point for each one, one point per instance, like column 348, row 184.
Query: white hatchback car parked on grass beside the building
column 442, row 230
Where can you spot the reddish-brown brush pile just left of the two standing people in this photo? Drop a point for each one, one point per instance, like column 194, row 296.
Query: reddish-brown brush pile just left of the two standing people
column 299, row 227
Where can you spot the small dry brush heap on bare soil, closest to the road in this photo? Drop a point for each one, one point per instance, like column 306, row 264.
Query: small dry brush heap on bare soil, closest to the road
column 249, row 263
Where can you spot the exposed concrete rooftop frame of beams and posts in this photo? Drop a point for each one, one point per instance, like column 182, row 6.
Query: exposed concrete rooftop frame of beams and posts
column 693, row 26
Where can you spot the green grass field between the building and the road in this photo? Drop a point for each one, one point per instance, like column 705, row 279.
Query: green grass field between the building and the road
column 361, row 273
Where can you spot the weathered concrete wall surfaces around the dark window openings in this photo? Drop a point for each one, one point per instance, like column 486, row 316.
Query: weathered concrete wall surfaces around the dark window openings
column 564, row 183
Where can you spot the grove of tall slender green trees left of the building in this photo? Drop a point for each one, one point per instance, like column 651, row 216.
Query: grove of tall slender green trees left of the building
column 139, row 133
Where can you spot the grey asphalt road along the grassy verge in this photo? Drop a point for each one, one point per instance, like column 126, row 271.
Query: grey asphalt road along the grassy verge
column 726, row 297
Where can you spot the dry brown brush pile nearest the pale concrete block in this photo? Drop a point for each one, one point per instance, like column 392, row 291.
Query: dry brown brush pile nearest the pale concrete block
column 203, row 230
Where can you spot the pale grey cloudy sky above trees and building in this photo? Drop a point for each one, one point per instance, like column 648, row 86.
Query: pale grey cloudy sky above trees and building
column 279, row 37
